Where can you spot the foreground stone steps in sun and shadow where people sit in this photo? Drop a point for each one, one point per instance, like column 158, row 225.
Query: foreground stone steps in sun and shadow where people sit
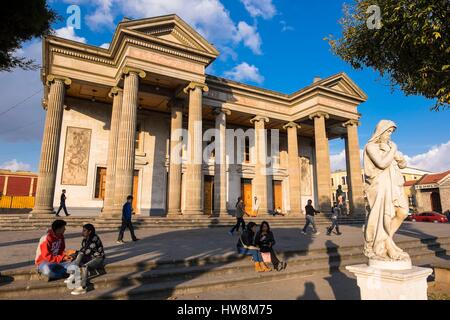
column 165, row 279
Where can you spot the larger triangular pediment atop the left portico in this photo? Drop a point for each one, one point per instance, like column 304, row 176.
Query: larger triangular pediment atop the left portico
column 172, row 29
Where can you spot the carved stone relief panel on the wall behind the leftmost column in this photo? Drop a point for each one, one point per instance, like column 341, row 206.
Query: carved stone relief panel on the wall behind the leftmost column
column 76, row 156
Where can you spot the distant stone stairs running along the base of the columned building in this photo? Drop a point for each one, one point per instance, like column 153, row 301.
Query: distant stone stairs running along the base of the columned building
column 24, row 222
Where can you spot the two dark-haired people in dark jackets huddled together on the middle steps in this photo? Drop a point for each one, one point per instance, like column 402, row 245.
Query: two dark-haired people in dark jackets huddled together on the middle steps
column 259, row 245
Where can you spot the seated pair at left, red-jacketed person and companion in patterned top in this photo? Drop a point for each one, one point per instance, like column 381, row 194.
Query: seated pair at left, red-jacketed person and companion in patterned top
column 55, row 262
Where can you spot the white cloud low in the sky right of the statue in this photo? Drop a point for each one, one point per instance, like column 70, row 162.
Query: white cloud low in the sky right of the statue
column 437, row 159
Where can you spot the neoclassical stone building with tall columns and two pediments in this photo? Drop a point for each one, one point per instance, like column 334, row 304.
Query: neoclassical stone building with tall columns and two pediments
column 110, row 115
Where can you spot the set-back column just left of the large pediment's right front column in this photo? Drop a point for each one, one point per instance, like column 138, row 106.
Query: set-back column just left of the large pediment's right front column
column 175, row 164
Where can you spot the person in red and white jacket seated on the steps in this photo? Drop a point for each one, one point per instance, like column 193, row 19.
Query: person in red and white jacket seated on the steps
column 51, row 259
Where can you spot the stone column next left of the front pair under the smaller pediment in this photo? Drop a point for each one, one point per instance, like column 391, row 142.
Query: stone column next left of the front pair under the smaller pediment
column 294, row 168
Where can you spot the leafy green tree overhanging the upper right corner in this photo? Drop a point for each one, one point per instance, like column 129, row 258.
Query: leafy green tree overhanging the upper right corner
column 410, row 45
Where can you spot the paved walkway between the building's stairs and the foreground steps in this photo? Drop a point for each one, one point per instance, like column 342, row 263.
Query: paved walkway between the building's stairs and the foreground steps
column 17, row 249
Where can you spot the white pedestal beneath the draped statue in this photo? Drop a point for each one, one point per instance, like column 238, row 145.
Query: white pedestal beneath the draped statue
column 378, row 283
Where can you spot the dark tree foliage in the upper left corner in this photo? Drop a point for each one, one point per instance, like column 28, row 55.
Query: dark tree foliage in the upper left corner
column 22, row 20
